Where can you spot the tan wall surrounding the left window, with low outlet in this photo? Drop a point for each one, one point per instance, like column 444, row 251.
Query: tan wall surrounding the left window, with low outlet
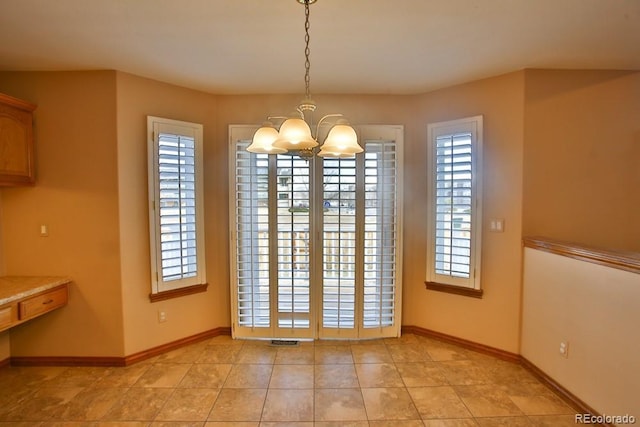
column 189, row 315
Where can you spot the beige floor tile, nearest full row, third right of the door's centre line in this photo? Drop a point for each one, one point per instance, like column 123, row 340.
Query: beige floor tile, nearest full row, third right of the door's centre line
column 438, row 402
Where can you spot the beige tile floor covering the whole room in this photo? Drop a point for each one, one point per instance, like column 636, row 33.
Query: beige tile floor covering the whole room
column 408, row 381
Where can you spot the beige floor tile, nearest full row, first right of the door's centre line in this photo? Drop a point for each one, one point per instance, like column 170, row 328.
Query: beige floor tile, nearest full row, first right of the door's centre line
column 344, row 404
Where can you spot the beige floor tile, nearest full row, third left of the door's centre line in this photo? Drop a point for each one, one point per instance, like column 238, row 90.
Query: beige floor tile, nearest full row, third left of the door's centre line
column 188, row 404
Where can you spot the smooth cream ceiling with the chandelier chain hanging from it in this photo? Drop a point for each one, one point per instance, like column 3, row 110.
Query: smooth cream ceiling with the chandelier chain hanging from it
column 357, row 46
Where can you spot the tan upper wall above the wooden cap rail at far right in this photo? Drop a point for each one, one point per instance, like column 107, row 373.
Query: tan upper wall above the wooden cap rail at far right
column 582, row 151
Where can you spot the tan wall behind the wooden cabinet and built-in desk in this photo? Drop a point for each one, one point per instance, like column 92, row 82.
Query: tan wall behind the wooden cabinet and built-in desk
column 76, row 195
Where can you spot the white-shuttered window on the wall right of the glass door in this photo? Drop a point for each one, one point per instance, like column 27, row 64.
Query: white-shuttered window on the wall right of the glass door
column 455, row 208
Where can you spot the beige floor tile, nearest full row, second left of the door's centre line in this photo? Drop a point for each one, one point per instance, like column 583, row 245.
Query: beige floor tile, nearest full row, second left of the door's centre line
column 238, row 405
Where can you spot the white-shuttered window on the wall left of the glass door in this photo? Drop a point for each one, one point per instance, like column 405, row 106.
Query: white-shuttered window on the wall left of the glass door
column 175, row 204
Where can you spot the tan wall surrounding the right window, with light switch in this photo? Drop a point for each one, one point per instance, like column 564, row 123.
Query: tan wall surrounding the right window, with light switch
column 493, row 320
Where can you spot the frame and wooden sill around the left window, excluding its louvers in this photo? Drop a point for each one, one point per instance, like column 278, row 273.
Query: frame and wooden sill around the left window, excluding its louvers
column 161, row 288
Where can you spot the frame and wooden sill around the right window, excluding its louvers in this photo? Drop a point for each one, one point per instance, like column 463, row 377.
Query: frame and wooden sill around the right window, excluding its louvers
column 470, row 286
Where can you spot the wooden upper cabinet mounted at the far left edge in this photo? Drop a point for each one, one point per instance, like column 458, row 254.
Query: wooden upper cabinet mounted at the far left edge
column 17, row 163
